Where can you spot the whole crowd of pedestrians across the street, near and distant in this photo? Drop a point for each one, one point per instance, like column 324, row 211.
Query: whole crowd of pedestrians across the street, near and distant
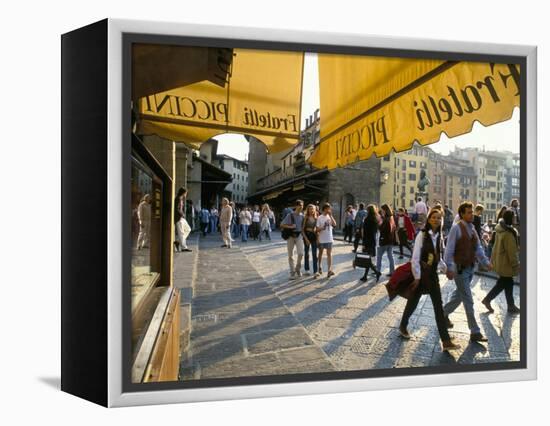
column 435, row 238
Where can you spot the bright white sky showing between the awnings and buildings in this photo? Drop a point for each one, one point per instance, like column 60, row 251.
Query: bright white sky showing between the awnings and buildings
column 498, row 137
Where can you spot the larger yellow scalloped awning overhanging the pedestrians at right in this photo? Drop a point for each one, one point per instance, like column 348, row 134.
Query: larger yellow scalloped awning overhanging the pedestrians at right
column 373, row 104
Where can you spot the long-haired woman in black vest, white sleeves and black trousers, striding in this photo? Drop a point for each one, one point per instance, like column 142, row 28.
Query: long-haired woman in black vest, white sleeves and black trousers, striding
column 424, row 263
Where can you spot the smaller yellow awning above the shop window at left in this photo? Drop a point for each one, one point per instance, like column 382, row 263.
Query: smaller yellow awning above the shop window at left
column 262, row 98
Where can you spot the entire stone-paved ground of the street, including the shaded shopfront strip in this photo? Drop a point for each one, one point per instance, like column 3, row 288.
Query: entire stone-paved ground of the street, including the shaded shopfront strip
column 248, row 319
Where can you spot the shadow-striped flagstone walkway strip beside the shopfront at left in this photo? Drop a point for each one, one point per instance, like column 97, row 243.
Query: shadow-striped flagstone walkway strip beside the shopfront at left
column 239, row 325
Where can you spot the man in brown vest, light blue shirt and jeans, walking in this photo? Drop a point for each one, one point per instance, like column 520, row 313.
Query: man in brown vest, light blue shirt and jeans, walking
column 462, row 251
